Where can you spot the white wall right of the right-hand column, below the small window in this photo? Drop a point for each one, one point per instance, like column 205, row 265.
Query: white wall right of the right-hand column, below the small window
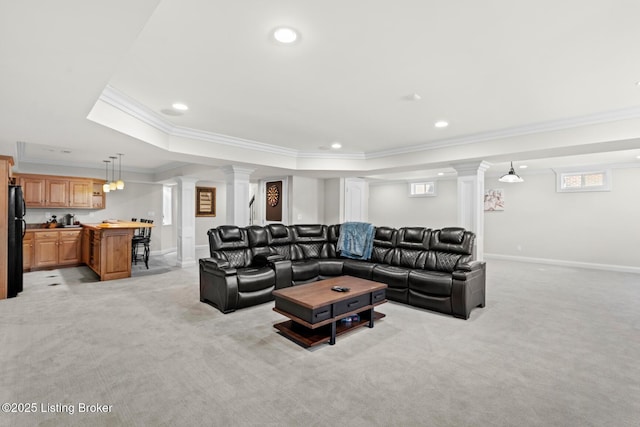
column 587, row 227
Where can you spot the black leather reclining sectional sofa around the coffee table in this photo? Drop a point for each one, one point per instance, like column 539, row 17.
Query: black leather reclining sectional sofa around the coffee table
column 432, row 269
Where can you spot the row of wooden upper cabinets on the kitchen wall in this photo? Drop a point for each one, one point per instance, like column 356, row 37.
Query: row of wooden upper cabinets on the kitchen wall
column 49, row 191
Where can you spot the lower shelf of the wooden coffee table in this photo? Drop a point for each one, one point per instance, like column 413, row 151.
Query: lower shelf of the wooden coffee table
column 312, row 337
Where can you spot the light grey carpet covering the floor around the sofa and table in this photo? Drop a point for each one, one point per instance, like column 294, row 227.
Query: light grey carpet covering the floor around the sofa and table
column 554, row 346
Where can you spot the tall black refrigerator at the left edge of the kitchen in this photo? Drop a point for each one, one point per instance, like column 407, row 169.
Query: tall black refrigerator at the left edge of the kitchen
column 17, row 228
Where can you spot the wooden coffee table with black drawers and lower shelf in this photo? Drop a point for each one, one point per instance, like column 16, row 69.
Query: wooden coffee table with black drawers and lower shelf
column 316, row 311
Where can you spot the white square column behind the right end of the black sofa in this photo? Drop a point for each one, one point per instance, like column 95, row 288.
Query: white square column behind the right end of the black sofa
column 471, row 200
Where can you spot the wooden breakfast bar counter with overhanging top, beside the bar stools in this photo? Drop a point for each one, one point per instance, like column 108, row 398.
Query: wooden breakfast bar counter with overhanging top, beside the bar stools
column 106, row 247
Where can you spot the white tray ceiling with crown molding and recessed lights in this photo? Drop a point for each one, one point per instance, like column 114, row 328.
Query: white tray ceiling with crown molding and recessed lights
column 547, row 83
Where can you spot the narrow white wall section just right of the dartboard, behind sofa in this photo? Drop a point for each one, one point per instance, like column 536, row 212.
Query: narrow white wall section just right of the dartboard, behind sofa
column 307, row 200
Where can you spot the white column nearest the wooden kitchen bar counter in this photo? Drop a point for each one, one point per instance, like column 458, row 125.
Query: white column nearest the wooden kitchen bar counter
column 186, row 221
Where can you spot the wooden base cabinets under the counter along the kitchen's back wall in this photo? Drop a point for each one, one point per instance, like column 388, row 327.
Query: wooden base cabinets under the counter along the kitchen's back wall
column 55, row 248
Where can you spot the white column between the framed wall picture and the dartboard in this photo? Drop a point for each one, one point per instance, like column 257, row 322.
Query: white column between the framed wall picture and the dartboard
column 238, row 191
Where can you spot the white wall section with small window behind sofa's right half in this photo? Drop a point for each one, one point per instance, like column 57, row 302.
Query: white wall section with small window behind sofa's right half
column 390, row 205
